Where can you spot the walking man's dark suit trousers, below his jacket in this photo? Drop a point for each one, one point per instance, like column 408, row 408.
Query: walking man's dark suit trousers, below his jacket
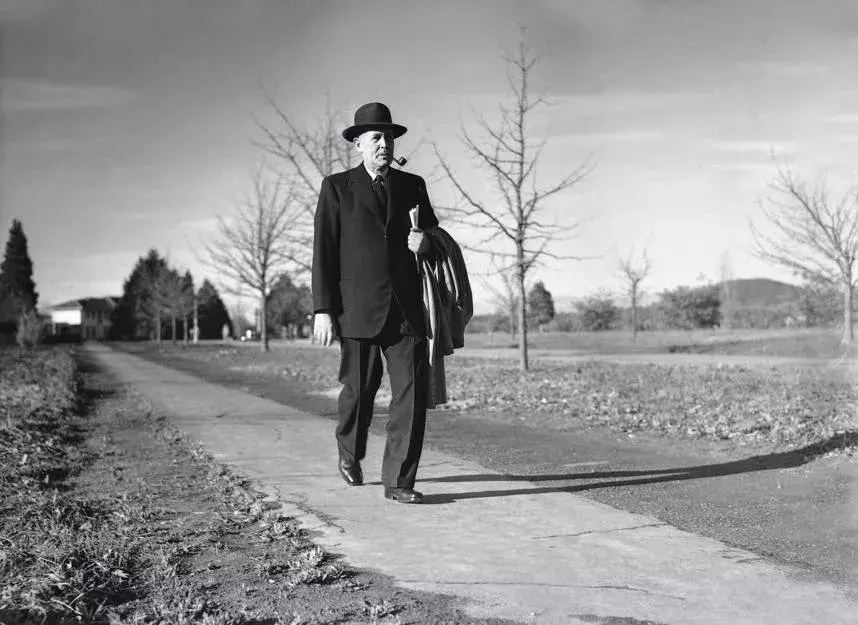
column 360, row 373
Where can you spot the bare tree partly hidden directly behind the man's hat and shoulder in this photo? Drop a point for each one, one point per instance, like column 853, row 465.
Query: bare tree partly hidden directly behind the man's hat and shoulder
column 305, row 157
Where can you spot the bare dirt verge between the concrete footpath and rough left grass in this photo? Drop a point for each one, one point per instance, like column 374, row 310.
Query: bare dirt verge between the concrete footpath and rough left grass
column 229, row 557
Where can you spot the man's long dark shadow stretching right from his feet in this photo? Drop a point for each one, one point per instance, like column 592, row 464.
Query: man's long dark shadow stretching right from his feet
column 767, row 462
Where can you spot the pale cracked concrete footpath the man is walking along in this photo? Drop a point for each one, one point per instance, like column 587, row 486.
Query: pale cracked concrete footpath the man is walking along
column 546, row 558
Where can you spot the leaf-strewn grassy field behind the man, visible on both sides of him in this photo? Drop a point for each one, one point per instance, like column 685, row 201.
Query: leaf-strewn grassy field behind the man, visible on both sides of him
column 773, row 407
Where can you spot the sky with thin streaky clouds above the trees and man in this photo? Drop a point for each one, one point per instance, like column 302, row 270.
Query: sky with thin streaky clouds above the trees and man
column 128, row 124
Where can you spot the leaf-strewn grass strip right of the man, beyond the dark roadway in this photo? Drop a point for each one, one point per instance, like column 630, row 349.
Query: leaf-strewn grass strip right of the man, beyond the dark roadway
column 777, row 407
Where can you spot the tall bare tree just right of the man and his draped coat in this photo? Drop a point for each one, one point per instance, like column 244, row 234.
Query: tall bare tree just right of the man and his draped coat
column 511, row 158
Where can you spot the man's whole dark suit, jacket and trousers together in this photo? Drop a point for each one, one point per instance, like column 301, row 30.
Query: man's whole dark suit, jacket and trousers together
column 365, row 276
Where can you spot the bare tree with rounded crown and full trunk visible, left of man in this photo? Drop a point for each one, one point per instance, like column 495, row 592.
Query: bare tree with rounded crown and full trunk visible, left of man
column 258, row 245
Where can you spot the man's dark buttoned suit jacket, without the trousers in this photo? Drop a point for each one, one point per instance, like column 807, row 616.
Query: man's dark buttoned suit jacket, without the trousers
column 361, row 260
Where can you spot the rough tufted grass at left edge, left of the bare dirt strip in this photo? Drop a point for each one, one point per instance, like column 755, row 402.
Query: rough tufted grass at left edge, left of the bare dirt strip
column 59, row 557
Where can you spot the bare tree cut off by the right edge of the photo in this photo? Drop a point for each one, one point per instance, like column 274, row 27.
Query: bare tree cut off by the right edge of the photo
column 815, row 237
